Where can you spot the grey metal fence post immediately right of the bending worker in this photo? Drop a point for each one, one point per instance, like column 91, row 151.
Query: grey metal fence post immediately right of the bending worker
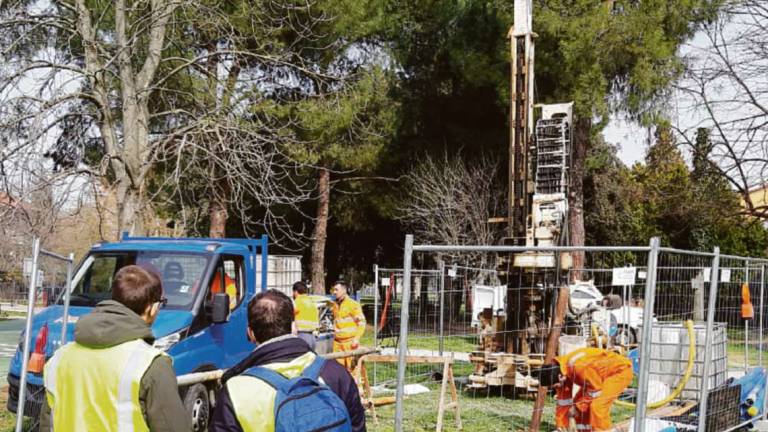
column 645, row 343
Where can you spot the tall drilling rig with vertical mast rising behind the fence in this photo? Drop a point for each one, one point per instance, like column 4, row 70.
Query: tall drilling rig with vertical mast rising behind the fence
column 539, row 160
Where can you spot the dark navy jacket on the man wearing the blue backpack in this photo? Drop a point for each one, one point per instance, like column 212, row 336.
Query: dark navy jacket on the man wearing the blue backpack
column 333, row 375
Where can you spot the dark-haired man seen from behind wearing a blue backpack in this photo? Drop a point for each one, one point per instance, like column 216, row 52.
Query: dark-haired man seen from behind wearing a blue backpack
column 282, row 385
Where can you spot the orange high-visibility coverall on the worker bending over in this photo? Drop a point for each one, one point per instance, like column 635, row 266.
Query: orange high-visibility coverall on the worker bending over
column 602, row 375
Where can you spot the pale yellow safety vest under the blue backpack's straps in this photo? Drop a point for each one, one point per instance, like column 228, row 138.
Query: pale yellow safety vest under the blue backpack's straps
column 254, row 400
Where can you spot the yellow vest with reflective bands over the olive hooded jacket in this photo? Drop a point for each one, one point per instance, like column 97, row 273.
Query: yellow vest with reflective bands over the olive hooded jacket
column 90, row 389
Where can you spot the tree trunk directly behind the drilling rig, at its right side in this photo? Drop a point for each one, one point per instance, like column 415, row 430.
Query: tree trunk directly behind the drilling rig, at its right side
column 581, row 135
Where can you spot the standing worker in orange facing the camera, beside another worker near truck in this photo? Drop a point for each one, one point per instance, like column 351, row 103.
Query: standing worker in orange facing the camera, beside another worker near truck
column 349, row 323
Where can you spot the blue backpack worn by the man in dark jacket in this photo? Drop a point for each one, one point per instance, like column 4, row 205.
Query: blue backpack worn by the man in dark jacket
column 302, row 404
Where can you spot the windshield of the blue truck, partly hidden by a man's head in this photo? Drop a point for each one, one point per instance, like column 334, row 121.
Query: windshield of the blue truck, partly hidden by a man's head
column 181, row 274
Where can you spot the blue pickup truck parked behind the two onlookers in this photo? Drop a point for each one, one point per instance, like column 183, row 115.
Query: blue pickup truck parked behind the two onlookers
column 191, row 327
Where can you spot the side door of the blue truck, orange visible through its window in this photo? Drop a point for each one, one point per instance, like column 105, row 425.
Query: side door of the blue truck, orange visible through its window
column 229, row 278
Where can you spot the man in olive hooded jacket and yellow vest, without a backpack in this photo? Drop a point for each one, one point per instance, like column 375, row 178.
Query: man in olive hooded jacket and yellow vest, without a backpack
column 111, row 378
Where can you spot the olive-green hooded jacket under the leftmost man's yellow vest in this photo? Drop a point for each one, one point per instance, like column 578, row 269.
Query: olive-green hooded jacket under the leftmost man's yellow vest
column 111, row 324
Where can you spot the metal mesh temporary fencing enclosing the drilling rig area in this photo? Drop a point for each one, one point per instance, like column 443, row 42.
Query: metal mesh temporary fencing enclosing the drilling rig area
column 491, row 309
